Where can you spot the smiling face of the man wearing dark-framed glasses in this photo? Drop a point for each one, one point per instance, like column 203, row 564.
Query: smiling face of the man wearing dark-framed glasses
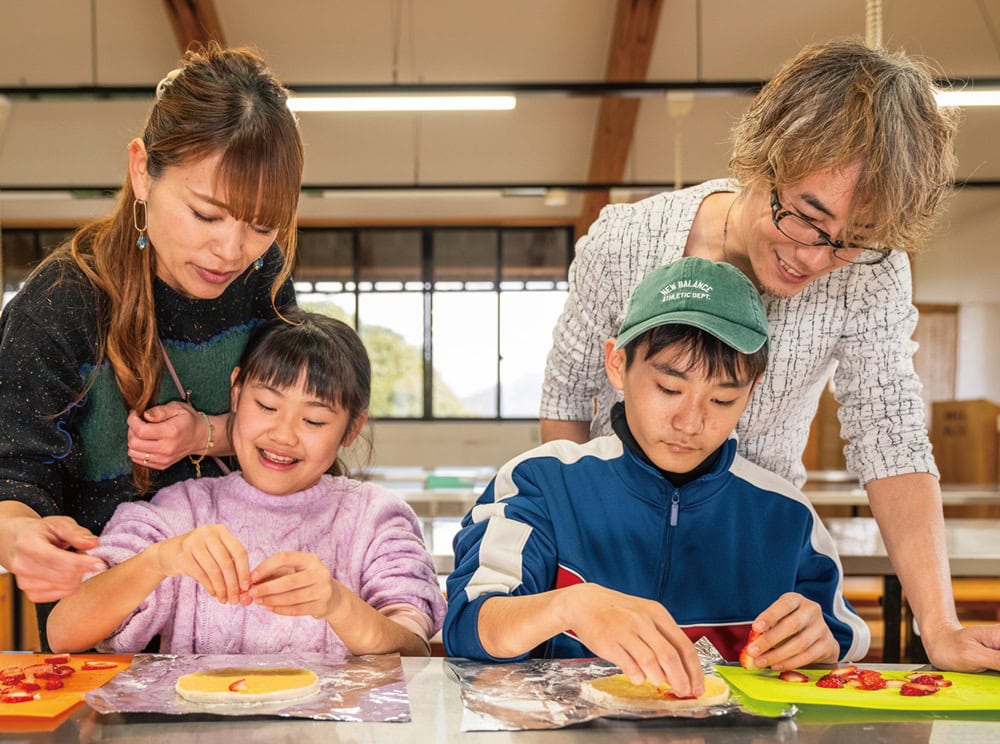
column 782, row 266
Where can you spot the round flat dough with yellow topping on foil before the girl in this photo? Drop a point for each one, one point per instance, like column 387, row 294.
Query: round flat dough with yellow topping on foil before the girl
column 262, row 685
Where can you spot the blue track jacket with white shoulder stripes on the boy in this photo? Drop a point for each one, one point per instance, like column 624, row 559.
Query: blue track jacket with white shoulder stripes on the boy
column 715, row 552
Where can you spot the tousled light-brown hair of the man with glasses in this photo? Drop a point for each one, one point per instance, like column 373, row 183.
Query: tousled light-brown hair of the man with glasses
column 842, row 102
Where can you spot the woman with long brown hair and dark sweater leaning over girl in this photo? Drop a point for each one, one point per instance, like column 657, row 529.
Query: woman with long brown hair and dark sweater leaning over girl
column 197, row 253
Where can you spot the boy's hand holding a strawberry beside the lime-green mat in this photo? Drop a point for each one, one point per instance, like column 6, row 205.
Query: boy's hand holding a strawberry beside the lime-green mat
column 793, row 633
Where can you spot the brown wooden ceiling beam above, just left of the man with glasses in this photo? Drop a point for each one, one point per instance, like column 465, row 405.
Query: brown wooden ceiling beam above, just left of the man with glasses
column 636, row 23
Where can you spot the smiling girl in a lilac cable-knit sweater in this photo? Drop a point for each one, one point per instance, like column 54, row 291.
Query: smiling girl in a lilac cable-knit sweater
column 286, row 554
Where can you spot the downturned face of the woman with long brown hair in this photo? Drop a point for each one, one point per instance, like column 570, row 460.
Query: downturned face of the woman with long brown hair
column 200, row 248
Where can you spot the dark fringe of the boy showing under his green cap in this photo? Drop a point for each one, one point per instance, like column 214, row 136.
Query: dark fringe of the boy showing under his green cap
column 702, row 351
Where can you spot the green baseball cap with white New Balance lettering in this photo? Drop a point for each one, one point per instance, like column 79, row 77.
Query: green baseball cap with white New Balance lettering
column 718, row 298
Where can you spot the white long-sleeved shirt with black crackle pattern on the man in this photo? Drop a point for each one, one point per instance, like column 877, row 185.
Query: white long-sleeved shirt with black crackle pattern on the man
column 856, row 322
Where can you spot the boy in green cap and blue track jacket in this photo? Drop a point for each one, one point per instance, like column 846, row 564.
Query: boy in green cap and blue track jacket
column 634, row 544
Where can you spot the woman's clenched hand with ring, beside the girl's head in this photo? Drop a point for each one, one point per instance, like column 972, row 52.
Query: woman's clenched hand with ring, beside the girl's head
column 165, row 434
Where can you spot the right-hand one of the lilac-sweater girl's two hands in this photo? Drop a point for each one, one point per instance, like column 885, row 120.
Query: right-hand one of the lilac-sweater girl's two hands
column 294, row 583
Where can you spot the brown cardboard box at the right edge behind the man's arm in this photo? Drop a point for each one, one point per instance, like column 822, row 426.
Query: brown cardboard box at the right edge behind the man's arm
column 966, row 442
